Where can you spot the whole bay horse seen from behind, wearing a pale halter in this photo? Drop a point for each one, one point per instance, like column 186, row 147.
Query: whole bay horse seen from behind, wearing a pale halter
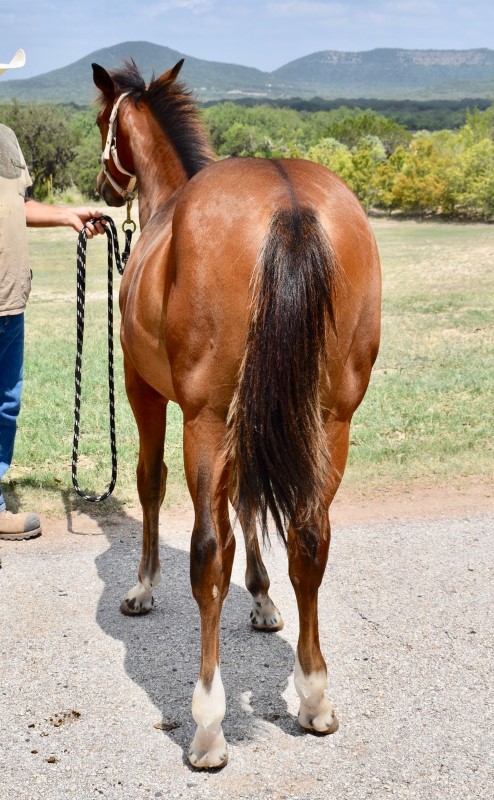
column 251, row 299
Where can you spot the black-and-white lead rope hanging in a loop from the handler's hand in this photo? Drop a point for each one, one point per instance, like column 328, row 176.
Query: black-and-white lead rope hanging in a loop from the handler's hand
column 113, row 250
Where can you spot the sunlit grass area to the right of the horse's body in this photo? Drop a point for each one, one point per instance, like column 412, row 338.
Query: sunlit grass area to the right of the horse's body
column 428, row 411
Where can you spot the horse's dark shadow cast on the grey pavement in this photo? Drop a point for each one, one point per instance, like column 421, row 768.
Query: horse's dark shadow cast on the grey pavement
column 162, row 649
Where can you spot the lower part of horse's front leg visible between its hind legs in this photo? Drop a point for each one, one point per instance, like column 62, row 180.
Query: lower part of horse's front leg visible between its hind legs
column 264, row 615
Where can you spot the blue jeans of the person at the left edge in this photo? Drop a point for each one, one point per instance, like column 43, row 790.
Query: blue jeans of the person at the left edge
column 11, row 370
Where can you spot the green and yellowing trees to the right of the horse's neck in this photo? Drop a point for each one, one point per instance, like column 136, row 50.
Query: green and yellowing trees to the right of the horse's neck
column 424, row 173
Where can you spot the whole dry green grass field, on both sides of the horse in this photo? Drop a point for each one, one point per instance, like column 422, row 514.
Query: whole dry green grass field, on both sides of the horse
column 427, row 414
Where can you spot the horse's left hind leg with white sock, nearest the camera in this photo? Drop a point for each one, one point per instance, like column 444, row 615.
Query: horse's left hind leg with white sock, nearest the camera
column 211, row 559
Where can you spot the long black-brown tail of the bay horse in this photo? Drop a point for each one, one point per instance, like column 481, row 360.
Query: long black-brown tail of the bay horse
column 276, row 444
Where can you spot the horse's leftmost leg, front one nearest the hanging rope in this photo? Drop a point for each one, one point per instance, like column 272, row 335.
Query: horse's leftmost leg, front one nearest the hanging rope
column 150, row 414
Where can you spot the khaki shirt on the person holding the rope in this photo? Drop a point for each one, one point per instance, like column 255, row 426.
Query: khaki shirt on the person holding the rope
column 15, row 275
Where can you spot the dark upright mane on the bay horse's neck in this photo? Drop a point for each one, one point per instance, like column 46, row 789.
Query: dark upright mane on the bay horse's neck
column 173, row 107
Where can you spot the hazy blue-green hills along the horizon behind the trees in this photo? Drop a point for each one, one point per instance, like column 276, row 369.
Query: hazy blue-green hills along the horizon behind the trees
column 381, row 74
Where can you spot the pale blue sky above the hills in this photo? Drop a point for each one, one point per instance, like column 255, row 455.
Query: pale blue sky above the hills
column 258, row 34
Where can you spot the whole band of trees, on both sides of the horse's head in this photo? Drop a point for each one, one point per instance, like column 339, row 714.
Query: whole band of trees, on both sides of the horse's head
column 391, row 167
